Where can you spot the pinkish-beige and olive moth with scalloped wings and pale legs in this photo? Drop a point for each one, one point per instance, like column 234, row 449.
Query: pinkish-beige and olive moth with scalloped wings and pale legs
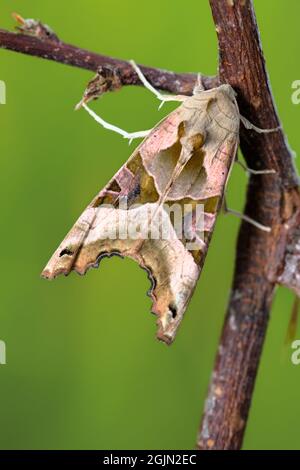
column 185, row 160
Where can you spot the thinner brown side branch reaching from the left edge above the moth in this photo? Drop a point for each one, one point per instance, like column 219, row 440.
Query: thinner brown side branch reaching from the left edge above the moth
column 54, row 49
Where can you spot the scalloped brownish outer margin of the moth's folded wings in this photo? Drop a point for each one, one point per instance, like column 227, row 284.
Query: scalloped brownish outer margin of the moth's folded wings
column 169, row 292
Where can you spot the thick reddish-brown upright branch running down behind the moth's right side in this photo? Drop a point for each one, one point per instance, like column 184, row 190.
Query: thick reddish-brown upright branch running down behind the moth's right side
column 272, row 200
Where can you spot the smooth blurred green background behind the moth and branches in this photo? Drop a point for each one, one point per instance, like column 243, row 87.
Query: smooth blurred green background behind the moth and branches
column 83, row 367
